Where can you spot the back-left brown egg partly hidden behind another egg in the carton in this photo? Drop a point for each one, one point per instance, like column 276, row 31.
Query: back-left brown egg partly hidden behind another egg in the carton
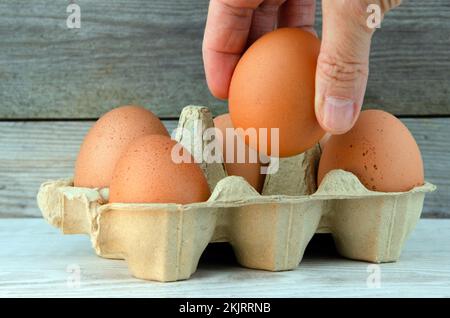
column 107, row 140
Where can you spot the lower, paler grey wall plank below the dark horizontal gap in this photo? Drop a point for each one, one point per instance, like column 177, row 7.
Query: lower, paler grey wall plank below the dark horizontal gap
column 33, row 152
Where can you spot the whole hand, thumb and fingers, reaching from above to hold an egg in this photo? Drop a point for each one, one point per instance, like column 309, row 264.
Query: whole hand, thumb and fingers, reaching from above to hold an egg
column 343, row 62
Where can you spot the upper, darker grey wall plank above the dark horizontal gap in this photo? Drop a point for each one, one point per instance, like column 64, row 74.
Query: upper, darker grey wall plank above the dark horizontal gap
column 149, row 52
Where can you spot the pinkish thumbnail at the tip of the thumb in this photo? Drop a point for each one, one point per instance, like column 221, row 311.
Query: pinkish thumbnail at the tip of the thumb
column 338, row 114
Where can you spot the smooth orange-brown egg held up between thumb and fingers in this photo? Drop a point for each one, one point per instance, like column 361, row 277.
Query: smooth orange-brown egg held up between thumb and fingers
column 273, row 87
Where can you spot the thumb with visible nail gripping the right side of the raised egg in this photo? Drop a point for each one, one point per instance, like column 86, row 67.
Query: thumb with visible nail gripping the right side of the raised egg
column 343, row 65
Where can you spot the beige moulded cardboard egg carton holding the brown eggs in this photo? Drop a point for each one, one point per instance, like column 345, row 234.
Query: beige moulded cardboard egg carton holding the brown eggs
column 164, row 242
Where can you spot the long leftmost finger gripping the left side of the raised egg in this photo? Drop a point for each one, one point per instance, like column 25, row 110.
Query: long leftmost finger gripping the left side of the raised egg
column 226, row 32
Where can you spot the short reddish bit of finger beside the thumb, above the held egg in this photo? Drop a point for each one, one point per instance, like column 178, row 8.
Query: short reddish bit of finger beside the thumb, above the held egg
column 298, row 13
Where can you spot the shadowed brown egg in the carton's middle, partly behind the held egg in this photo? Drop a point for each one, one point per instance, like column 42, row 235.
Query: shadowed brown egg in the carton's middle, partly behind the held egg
column 249, row 171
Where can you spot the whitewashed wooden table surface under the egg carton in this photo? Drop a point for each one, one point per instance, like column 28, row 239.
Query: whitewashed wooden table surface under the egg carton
column 34, row 259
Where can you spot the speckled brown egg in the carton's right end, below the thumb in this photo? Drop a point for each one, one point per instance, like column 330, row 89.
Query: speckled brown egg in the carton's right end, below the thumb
column 379, row 150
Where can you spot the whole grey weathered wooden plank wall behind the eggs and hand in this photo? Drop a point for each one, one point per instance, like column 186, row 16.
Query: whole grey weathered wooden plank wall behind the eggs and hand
column 55, row 81
